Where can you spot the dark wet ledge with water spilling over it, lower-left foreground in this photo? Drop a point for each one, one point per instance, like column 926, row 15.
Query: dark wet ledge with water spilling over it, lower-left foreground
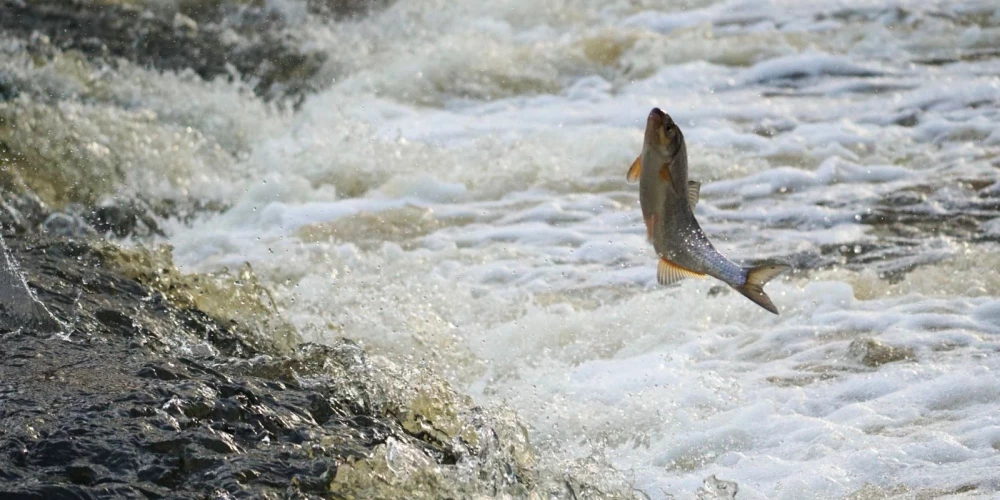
column 145, row 395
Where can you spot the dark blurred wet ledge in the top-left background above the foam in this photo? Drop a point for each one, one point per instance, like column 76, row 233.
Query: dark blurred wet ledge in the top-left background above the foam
column 158, row 37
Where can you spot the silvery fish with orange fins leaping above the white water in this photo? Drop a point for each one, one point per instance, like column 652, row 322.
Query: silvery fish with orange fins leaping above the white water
column 668, row 198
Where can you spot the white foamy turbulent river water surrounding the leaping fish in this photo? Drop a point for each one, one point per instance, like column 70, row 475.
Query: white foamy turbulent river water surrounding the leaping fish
column 455, row 195
